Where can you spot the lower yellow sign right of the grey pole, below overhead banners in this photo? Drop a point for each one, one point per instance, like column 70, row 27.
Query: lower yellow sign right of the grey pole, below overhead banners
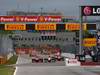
column 89, row 42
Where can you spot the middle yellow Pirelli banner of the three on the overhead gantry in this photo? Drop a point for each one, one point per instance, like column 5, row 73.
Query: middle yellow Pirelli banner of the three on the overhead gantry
column 45, row 26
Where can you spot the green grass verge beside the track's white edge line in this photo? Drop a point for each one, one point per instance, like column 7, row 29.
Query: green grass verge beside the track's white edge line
column 8, row 70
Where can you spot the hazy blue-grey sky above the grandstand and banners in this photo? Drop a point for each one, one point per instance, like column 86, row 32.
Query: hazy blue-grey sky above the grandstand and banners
column 67, row 7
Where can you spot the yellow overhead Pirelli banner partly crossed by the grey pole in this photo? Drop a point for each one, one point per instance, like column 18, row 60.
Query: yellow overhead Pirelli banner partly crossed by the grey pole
column 74, row 26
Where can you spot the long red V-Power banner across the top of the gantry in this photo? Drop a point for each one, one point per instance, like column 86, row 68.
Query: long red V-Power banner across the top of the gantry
column 30, row 18
